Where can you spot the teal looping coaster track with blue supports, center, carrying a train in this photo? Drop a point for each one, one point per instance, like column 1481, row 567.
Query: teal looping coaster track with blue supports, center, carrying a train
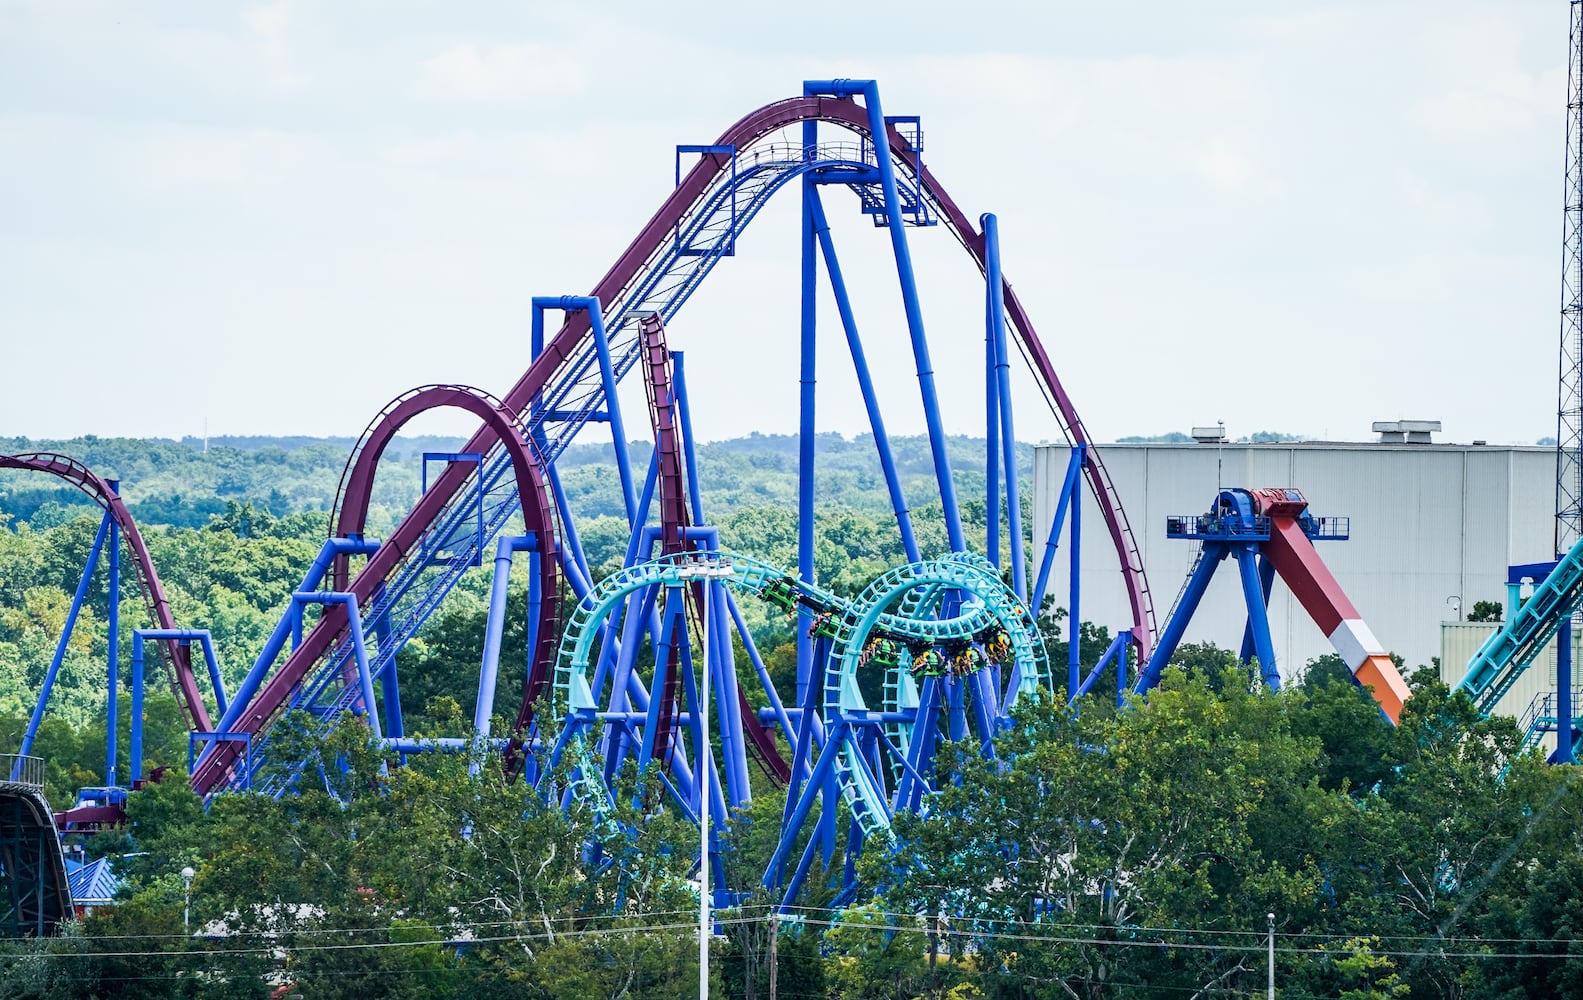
column 951, row 605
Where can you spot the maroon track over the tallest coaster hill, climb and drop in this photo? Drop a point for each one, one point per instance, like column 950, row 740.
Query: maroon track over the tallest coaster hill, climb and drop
column 563, row 350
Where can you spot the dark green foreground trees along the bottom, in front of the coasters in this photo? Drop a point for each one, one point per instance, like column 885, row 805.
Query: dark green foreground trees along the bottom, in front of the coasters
column 1098, row 854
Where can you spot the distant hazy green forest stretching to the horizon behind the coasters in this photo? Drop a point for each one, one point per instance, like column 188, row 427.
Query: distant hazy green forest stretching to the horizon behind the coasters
column 233, row 525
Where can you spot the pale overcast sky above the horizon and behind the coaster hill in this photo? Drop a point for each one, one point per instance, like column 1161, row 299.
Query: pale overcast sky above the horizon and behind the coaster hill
column 273, row 219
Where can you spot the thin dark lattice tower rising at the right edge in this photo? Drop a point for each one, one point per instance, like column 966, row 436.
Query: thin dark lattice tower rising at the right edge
column 1570, row 398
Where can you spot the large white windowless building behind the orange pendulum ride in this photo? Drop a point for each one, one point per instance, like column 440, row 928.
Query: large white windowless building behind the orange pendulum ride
column 1433, row 531
